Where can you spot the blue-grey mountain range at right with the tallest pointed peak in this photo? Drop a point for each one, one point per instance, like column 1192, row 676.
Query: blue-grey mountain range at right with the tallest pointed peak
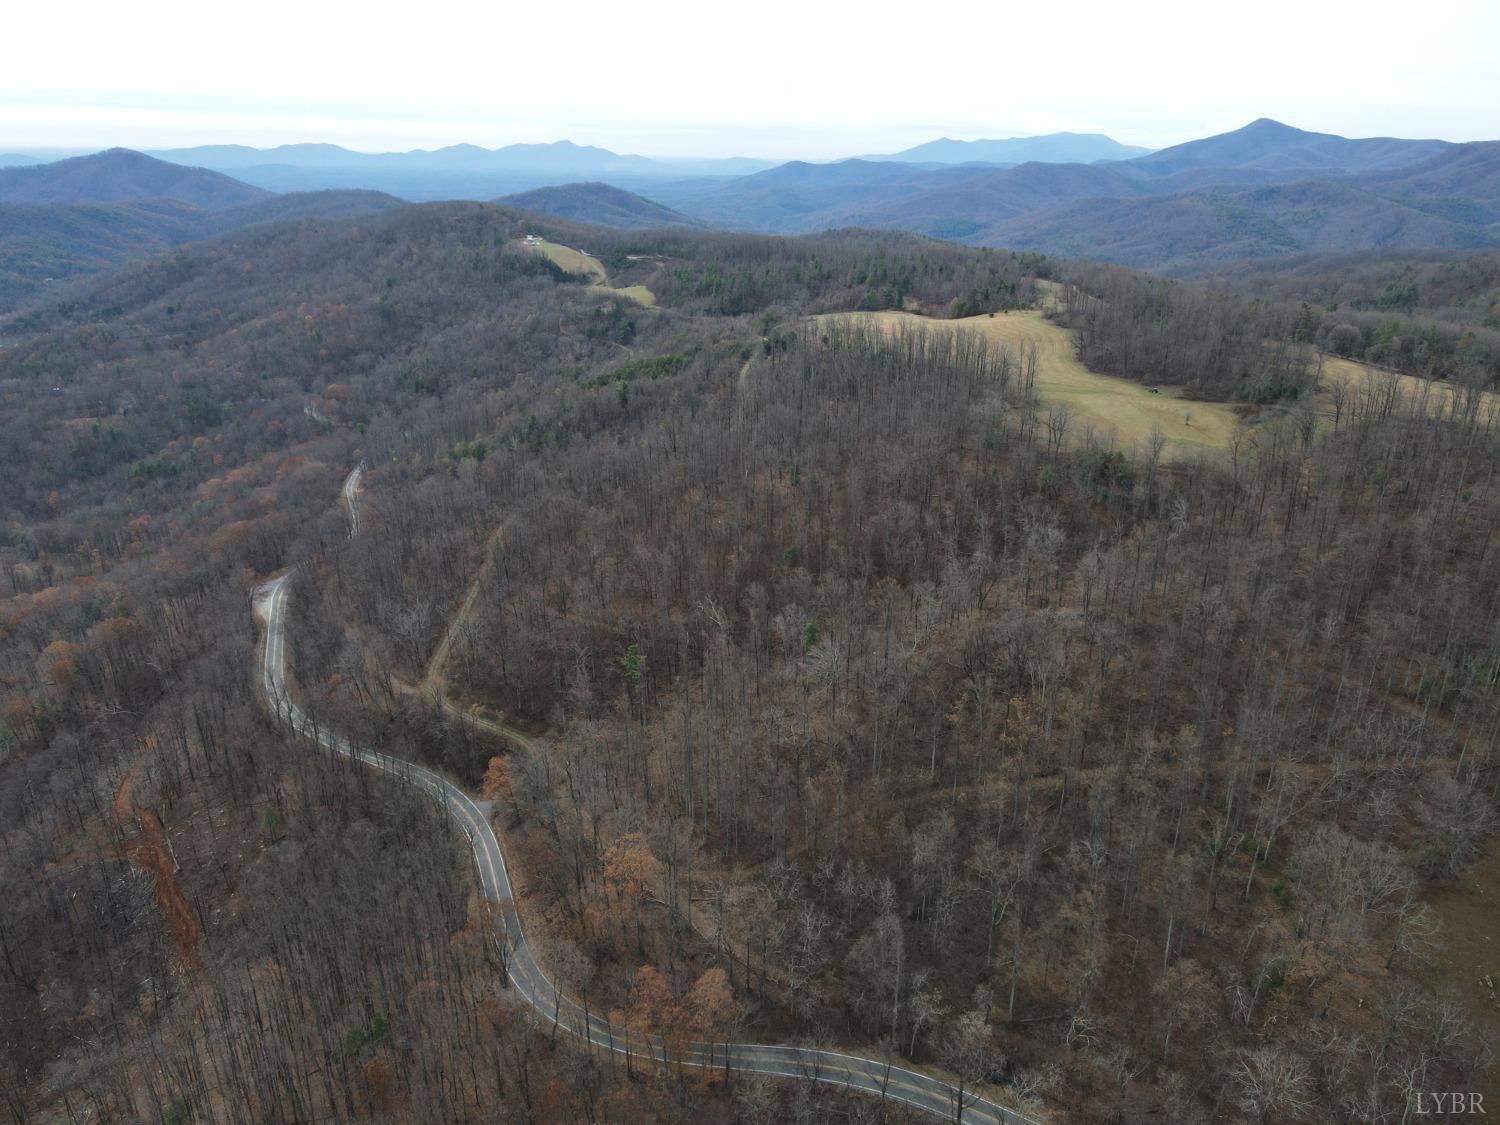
column 1264, row 190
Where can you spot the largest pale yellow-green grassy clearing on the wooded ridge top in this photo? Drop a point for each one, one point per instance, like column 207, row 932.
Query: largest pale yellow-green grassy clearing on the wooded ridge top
column 1102, row 403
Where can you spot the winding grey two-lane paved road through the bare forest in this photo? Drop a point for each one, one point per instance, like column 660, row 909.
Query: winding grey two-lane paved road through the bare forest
column 853, row 1072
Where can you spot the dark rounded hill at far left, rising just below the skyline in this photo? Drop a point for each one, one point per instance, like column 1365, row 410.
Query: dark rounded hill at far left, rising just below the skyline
column 121, row 175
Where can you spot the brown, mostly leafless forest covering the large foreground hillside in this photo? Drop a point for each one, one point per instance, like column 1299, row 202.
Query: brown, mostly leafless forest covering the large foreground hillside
column 871, row 704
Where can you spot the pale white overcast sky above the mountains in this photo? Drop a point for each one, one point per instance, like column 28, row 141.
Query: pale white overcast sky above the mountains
column 757, row 79
